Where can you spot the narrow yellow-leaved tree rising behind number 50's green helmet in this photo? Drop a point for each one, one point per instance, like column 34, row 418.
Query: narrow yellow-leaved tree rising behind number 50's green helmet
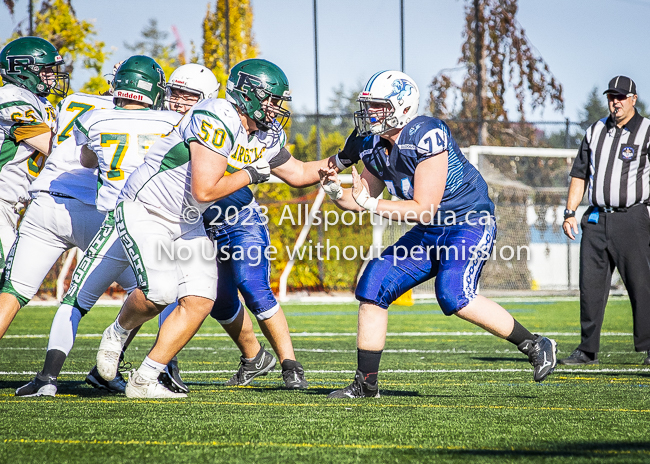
column 228, row 37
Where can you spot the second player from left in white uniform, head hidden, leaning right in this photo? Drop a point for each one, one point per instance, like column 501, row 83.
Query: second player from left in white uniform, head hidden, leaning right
column 62, row 215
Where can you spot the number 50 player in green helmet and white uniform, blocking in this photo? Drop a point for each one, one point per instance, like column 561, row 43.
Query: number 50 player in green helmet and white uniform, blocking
column 160, row 210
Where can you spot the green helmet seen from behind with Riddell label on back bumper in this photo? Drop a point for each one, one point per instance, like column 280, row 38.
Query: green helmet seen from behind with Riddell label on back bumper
column 140, row 79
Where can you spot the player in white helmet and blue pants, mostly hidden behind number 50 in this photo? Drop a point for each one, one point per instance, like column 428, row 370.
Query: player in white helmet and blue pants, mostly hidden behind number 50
column 186, row 86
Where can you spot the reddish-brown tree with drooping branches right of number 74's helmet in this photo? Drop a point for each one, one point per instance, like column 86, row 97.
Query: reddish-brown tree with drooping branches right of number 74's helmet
column 507, row 60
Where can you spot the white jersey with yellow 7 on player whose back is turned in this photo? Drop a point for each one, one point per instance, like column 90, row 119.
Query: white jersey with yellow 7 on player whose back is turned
column 120, row 138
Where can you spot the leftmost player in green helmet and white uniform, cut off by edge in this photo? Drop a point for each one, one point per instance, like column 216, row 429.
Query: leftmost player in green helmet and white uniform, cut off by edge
column 29, row 68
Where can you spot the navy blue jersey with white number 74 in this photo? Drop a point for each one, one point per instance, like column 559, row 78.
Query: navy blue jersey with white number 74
column 466, row 193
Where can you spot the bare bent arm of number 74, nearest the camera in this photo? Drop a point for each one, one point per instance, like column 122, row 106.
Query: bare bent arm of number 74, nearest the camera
column 429, row 184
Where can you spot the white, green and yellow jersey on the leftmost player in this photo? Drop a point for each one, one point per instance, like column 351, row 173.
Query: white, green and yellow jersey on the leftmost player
column 21, row 113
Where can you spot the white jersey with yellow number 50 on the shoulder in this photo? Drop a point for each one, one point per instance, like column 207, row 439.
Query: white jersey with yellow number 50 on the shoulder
column 163, row 182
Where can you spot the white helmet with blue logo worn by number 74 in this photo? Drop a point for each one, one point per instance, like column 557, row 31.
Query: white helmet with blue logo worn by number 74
column 399, row 96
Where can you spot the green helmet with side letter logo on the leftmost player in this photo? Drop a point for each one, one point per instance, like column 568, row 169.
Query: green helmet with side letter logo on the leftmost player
column 24, row 63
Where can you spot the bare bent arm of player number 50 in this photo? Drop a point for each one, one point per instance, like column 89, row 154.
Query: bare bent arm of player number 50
column 209, row 182
